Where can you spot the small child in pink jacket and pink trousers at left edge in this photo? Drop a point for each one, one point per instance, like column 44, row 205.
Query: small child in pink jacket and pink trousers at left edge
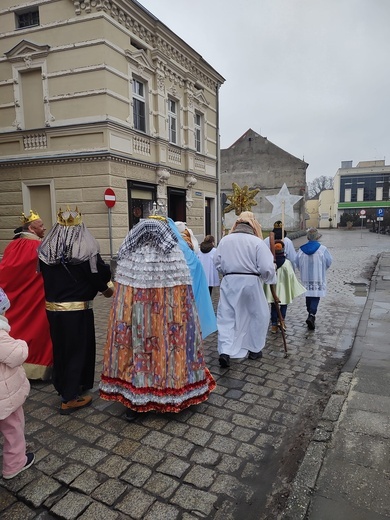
column 14, row 389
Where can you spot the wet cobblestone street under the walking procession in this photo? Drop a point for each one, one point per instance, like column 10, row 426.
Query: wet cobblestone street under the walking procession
column 232, row 457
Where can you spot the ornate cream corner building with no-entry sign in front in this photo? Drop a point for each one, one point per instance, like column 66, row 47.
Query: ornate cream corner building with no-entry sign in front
column 100, row 94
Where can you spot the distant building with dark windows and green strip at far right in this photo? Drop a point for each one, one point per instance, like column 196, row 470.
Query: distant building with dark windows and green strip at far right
column 363, row 187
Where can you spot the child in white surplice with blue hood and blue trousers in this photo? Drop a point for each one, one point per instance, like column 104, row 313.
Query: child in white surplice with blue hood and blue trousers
column 313, row 260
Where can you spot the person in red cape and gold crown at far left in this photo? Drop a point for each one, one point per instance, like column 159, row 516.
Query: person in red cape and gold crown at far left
column 23, row 284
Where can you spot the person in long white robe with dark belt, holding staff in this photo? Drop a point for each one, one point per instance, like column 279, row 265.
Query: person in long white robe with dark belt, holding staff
column 243, row 314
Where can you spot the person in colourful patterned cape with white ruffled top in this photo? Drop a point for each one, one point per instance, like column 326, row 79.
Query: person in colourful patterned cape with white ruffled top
column 154, row 357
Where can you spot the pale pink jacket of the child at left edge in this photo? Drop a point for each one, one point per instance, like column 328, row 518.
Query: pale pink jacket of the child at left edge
column 14, row 385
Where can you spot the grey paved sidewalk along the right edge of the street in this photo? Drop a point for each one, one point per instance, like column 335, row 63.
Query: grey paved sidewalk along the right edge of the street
column 345, row 471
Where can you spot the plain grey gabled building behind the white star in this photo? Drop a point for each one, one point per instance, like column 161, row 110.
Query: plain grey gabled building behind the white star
column 255, row 162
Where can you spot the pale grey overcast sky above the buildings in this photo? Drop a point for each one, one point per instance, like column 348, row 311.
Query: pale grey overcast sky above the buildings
column 313, row 76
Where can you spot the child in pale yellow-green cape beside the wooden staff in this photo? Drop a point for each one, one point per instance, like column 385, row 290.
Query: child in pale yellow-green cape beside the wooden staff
column 287, row 287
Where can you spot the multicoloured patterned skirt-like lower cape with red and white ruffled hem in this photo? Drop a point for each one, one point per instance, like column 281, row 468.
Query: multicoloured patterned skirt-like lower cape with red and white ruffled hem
column 153, row 356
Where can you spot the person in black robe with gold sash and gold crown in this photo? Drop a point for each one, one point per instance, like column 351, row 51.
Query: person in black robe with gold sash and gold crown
column 73, row 273
